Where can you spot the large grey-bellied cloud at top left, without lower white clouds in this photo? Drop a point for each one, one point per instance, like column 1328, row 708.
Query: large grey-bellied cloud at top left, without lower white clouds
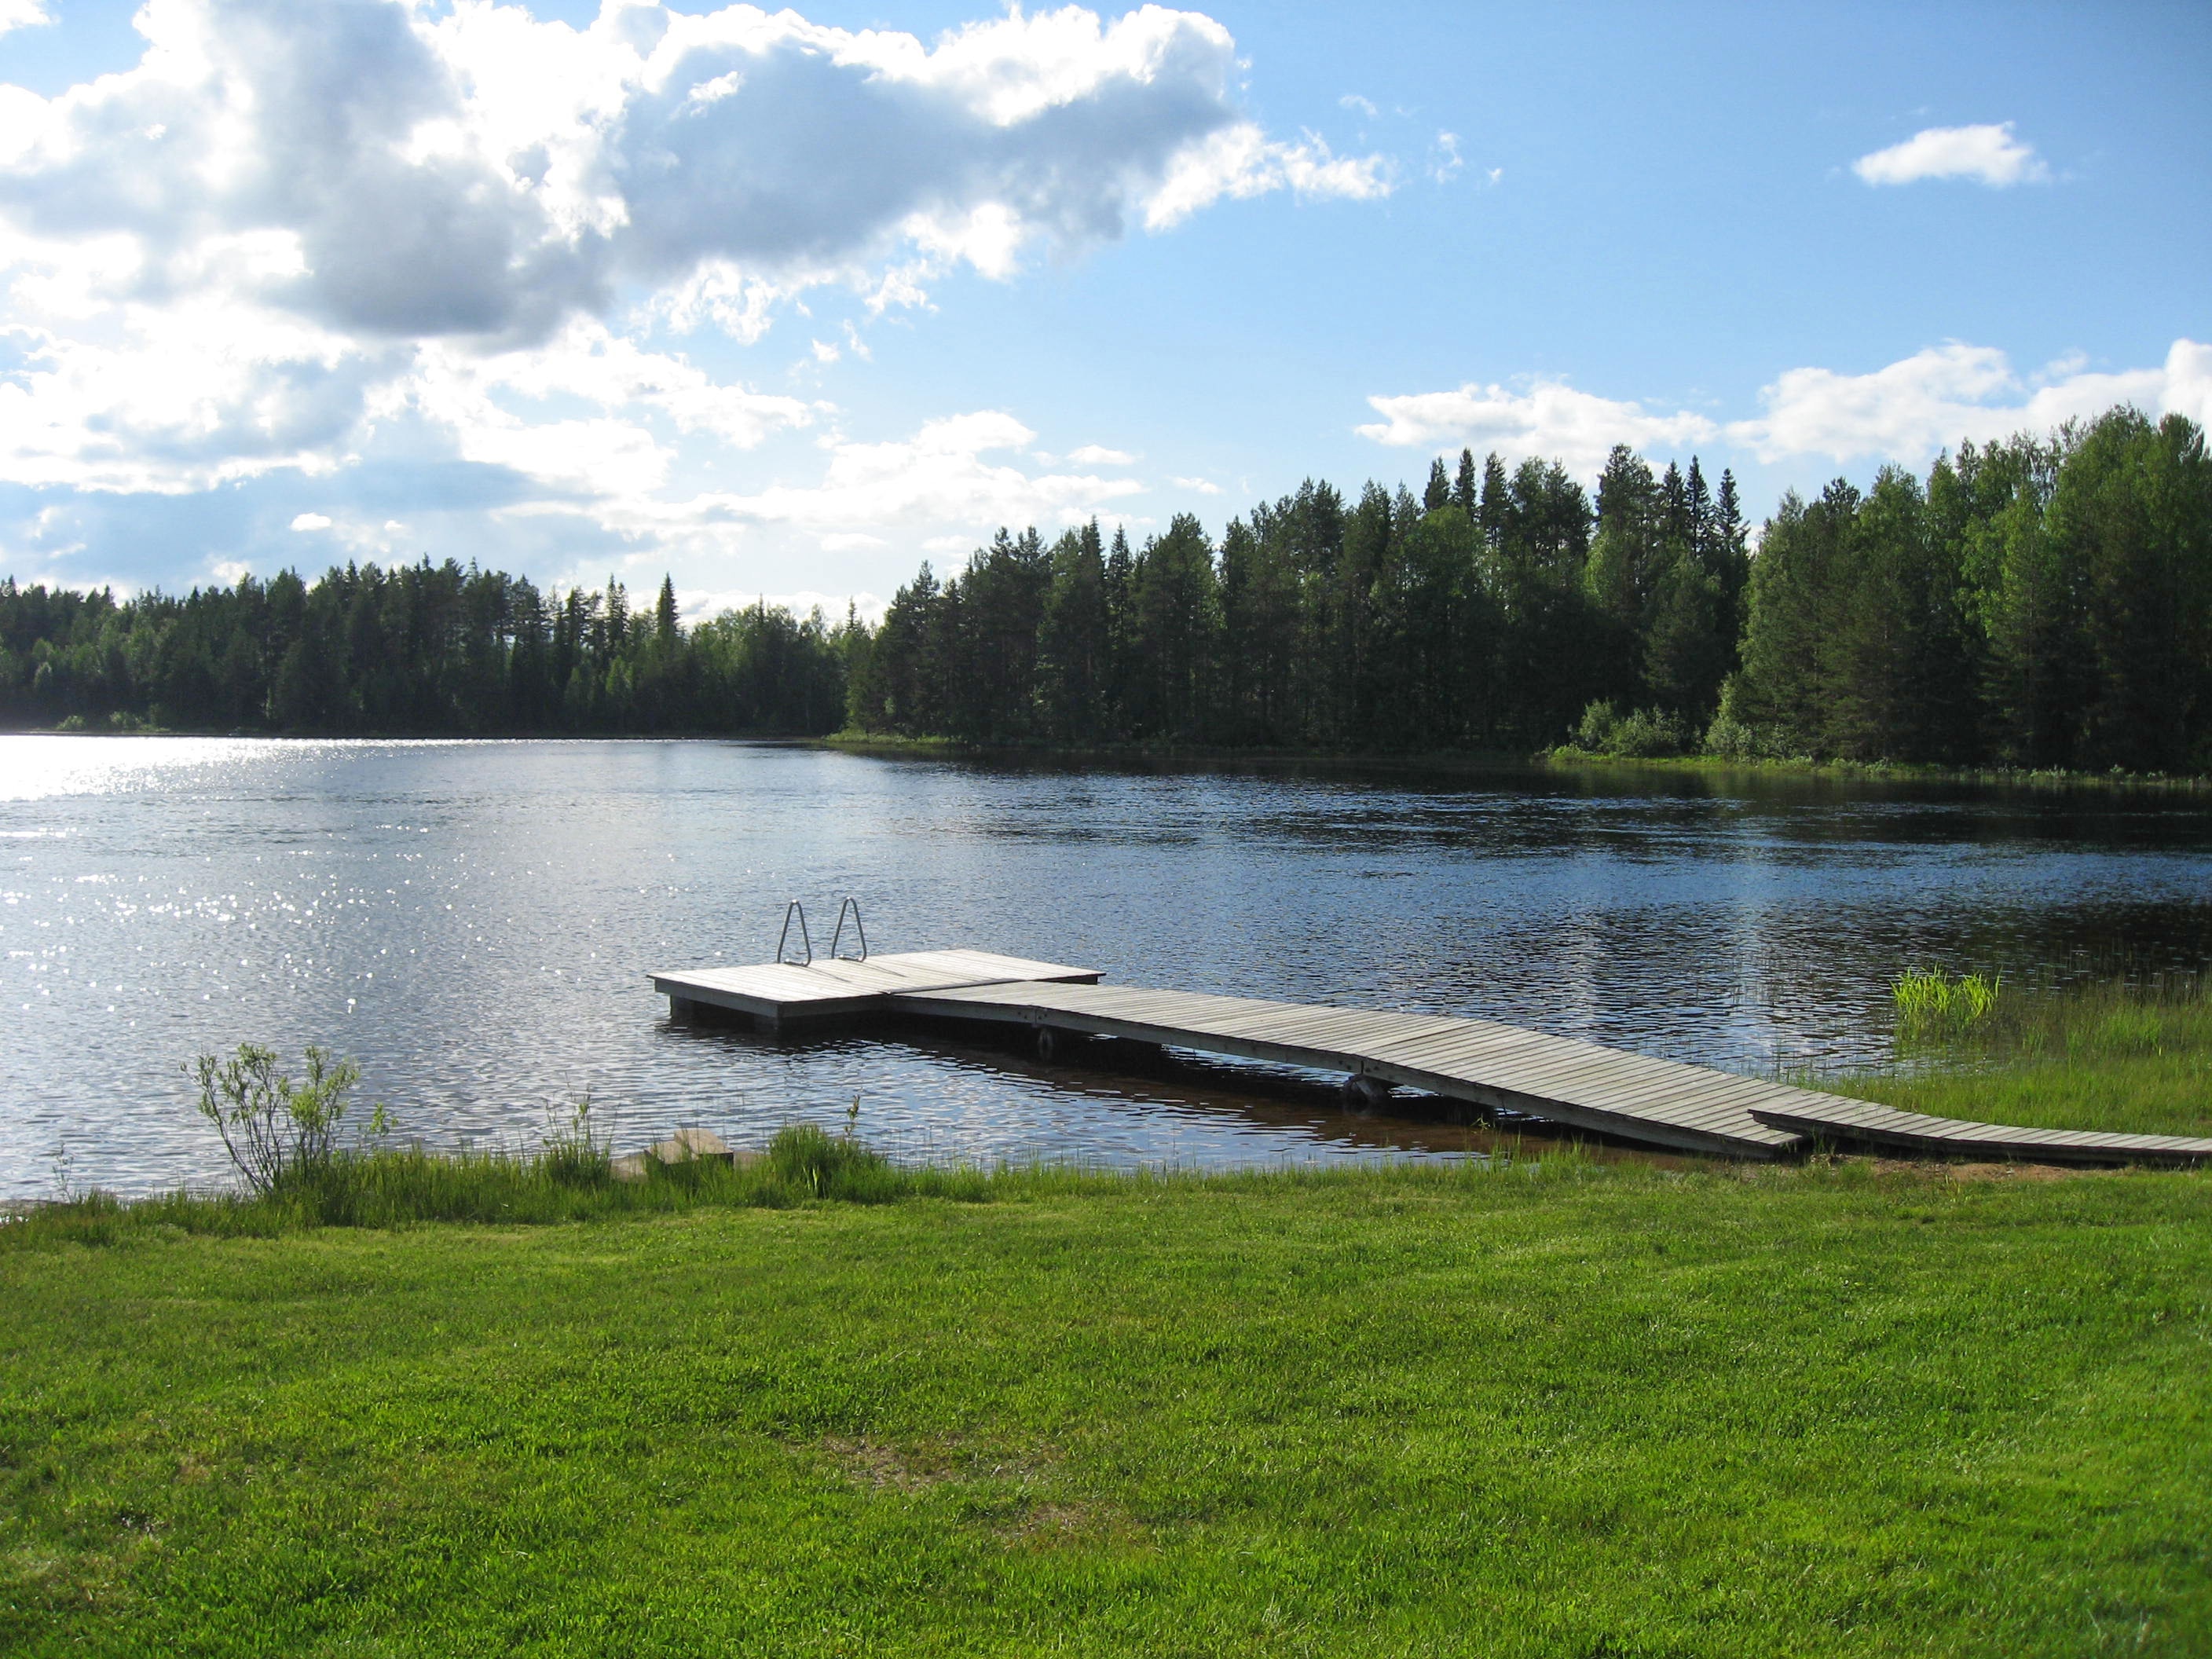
column 488, row 174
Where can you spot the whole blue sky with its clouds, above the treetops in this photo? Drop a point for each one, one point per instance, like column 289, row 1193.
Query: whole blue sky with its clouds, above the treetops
column 791, row 304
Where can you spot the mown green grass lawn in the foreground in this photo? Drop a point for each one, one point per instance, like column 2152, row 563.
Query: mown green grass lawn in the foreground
column 1519, row 1412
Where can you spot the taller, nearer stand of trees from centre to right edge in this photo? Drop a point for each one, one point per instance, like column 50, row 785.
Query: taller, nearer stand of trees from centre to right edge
column 2041, row 603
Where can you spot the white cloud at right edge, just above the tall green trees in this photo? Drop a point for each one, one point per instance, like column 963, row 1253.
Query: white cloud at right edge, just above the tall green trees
column 1950, row 393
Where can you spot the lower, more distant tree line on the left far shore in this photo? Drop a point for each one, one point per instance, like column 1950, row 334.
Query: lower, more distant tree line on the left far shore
column 426, row 649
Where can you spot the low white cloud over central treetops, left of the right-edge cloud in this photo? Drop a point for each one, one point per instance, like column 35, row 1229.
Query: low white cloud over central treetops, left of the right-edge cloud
column 1547, row 419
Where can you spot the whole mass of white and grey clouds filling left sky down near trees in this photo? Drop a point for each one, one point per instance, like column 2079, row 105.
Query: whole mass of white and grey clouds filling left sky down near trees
column 320, row 240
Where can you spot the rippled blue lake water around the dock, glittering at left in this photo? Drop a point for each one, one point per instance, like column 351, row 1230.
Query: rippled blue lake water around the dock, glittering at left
column 474, row 921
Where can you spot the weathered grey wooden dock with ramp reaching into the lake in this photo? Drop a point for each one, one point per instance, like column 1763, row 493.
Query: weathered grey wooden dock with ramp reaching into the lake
column 1583, row 1085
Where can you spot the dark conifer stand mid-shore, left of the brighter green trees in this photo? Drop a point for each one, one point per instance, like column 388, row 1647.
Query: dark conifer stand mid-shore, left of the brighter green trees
column 1485, row 614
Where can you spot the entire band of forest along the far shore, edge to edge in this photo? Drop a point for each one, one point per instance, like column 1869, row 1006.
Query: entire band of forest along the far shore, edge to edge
column 2036, row 603
